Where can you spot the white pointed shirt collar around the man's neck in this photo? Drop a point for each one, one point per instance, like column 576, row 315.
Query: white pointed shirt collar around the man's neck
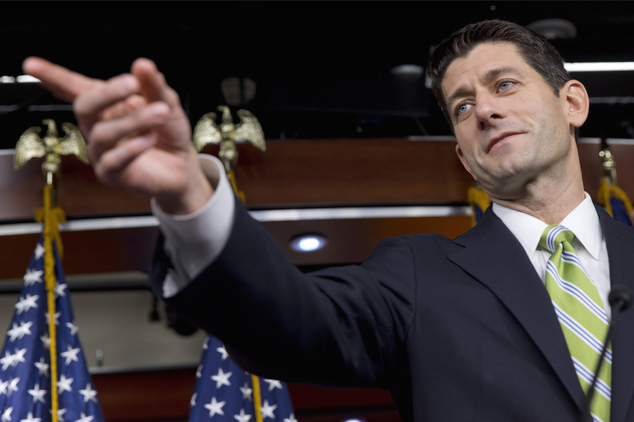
column 583, row 221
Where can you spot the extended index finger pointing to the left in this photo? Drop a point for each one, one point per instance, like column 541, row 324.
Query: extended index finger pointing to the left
column 61, row 82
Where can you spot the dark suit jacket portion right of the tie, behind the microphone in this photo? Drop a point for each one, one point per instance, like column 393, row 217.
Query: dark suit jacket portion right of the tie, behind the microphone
column 620, row 243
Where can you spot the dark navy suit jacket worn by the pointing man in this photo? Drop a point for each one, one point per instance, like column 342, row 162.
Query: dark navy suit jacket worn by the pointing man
column 457, row 330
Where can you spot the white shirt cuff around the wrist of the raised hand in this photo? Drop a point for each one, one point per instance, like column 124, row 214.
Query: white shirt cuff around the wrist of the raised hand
column 195, row 240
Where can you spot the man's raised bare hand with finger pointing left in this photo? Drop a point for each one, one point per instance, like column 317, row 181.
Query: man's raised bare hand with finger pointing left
column 138, row 135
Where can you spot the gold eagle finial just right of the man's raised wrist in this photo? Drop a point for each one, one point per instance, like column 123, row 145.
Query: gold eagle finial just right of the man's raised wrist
column 228, row 134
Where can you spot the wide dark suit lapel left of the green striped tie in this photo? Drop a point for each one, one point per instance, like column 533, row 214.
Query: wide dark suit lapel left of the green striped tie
column 493, row 256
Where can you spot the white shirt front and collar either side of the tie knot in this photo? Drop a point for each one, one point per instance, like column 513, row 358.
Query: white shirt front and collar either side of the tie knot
column 589, row 243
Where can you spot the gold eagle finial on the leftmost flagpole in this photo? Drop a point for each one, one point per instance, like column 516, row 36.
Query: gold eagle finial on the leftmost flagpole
column 31, row 145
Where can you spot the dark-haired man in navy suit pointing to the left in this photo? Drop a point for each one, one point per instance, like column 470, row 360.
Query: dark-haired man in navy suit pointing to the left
column 457, row 330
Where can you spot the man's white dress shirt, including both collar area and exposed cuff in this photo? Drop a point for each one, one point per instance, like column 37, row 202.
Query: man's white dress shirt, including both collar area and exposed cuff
column 194, row 241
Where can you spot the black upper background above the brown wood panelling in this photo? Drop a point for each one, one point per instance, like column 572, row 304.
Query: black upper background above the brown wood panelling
column 322, row 69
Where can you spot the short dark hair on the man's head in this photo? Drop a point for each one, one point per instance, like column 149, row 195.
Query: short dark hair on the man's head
column 538, row 52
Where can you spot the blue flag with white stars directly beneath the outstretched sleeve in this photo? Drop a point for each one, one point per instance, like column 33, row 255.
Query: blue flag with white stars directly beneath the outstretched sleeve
column 224, row 392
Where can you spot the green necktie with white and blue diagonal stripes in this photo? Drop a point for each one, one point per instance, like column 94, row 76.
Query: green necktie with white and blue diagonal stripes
column 581, row 315
